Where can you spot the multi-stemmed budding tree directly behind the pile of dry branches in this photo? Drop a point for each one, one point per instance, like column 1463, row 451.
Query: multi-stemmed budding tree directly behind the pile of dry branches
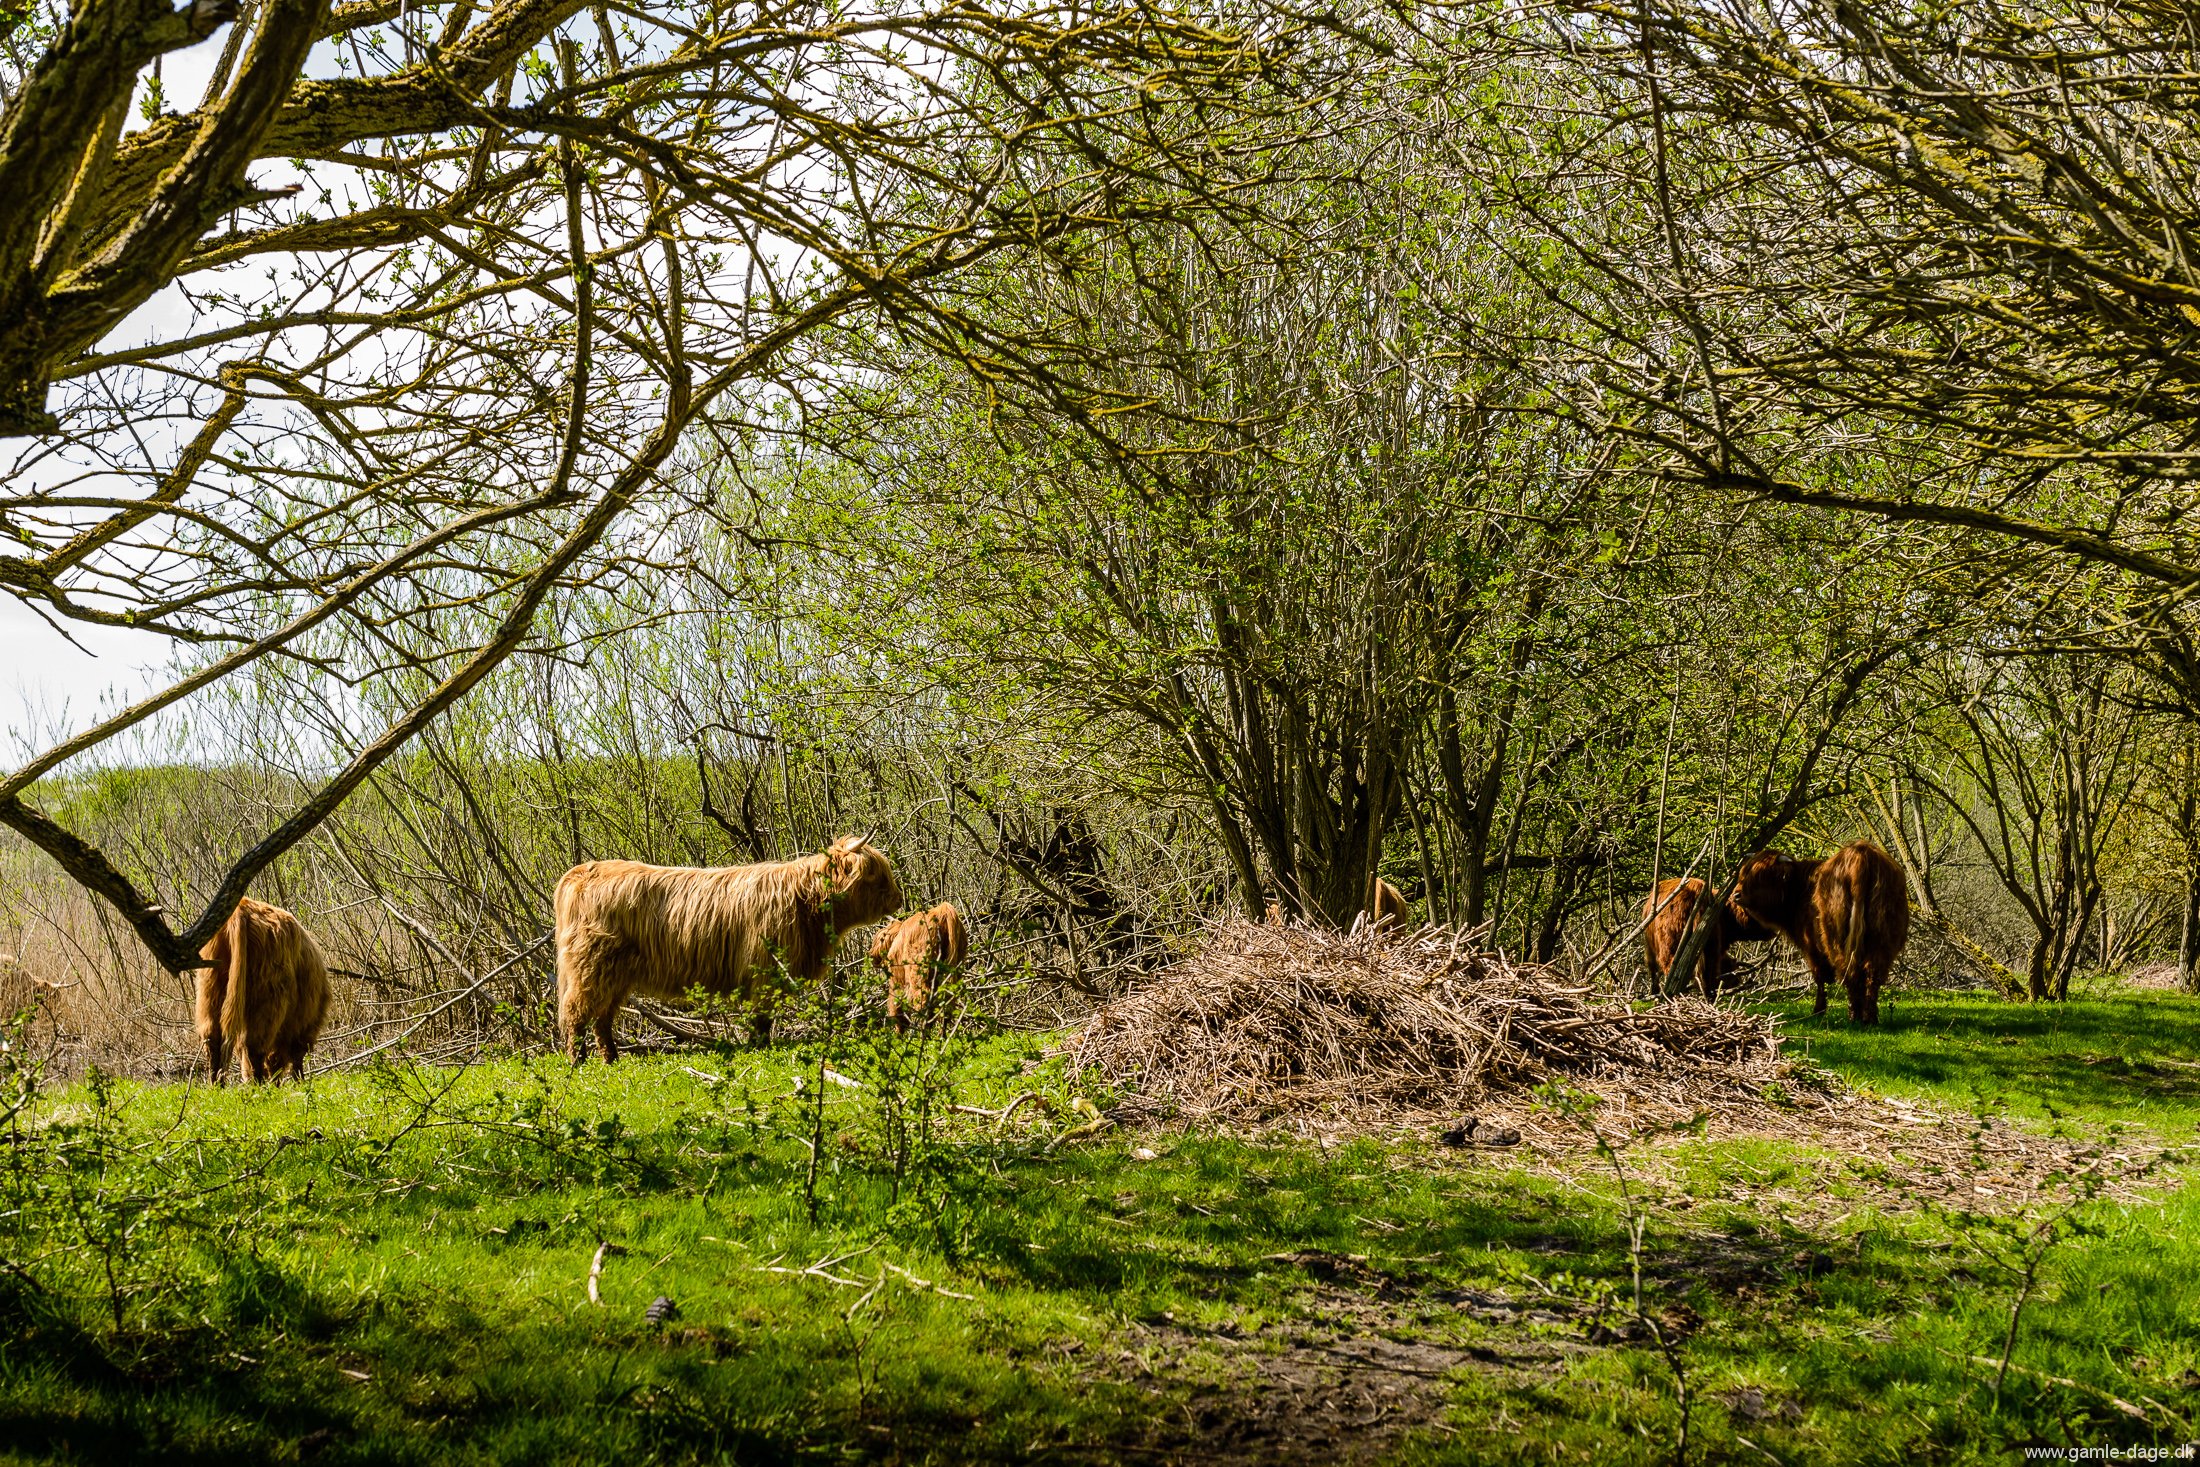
column 1363, row 597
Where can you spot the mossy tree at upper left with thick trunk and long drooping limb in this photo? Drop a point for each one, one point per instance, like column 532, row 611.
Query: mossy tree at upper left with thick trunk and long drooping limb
column 397, row 338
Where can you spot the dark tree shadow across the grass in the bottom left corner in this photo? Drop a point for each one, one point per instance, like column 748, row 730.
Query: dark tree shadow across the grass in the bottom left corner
column 472, row 1393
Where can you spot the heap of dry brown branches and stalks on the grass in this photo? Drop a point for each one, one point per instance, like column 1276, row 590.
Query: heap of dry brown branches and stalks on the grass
column 1308, row 1026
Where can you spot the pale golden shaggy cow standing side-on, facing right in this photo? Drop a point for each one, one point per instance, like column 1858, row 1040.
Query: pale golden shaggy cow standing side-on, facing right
column 630, row 929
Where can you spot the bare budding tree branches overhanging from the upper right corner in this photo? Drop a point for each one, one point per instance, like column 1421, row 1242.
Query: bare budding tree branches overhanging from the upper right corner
column 1930, row 267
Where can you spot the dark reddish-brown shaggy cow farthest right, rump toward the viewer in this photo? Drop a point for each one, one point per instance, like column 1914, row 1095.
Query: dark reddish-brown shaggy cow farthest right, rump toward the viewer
column 1849, row 916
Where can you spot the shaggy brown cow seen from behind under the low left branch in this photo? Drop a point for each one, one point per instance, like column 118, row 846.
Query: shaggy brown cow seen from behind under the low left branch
column 265, row 995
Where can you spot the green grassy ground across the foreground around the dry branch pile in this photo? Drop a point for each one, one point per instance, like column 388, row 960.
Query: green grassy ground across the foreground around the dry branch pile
column 390, row 1266
